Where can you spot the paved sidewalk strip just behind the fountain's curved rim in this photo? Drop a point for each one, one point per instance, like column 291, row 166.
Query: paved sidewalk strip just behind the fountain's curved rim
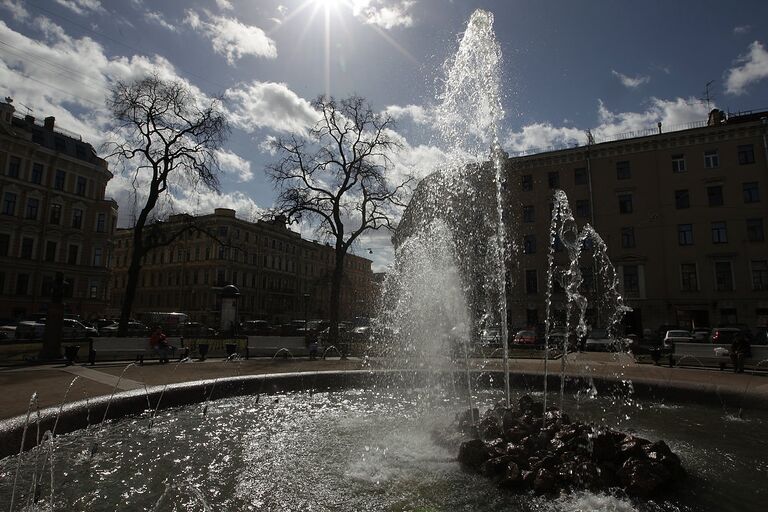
column 51, row 382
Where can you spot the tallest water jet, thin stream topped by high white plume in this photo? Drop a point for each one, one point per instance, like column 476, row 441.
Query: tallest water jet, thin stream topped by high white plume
column 469, row 114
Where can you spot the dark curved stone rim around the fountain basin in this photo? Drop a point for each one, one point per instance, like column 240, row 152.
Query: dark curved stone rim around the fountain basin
column 75, row 415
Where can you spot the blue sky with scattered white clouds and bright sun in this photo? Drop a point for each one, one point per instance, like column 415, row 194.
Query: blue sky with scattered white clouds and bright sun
column 608, row 66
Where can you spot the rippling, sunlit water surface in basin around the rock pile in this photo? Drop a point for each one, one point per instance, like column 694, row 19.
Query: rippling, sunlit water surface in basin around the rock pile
column 364, row 450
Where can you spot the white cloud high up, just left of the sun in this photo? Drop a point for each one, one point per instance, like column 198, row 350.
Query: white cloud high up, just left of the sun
column 232, row 38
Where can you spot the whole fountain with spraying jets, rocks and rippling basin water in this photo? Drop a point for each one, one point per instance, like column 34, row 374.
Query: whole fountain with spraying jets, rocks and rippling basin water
column 388, row 439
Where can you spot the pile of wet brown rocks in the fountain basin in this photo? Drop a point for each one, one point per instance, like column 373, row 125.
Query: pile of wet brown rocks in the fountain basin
column 529, row 448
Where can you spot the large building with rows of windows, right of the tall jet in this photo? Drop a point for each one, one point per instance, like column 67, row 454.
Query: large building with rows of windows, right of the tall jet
column 682, row 213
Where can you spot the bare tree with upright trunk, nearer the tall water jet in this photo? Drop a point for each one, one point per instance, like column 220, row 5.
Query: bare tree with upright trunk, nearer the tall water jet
column 336, row 176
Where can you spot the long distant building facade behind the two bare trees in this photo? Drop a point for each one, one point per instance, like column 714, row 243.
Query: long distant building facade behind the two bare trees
column 281, row 277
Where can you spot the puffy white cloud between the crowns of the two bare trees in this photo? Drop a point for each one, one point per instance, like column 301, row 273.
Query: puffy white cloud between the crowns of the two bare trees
column 269, row 105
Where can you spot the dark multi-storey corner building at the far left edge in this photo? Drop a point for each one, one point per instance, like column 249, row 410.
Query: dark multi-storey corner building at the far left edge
column 54, row 218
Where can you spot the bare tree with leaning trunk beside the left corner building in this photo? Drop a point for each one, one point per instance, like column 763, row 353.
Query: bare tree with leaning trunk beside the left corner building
column 165, row 135
